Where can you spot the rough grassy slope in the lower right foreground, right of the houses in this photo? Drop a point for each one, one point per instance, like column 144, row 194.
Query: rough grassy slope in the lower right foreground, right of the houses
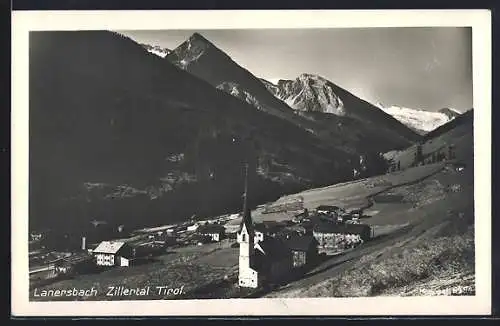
column 425, row 244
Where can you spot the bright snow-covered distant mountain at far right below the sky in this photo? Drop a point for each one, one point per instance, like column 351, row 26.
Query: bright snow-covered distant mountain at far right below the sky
column 420, row 120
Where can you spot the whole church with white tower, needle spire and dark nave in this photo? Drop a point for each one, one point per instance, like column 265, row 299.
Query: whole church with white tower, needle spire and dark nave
column 262, row 259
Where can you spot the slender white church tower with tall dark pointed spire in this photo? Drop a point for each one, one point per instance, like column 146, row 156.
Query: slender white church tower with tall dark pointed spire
column 248, row 277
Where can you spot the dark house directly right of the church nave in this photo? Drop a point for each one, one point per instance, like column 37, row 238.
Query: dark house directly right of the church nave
column 304, row 249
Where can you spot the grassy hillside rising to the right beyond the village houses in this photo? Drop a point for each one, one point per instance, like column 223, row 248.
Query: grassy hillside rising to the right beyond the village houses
column 424, row 239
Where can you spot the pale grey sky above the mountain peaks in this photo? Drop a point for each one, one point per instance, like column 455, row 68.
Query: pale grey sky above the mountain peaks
column 425, row 68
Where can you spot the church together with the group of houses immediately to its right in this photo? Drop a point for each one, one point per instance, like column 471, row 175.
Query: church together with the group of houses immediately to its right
column 271, row 254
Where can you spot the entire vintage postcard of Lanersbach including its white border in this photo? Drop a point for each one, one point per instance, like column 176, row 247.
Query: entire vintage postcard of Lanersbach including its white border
column 237, row 163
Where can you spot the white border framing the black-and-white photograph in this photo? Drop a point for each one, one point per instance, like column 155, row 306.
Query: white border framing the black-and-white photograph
column 25, row 21
